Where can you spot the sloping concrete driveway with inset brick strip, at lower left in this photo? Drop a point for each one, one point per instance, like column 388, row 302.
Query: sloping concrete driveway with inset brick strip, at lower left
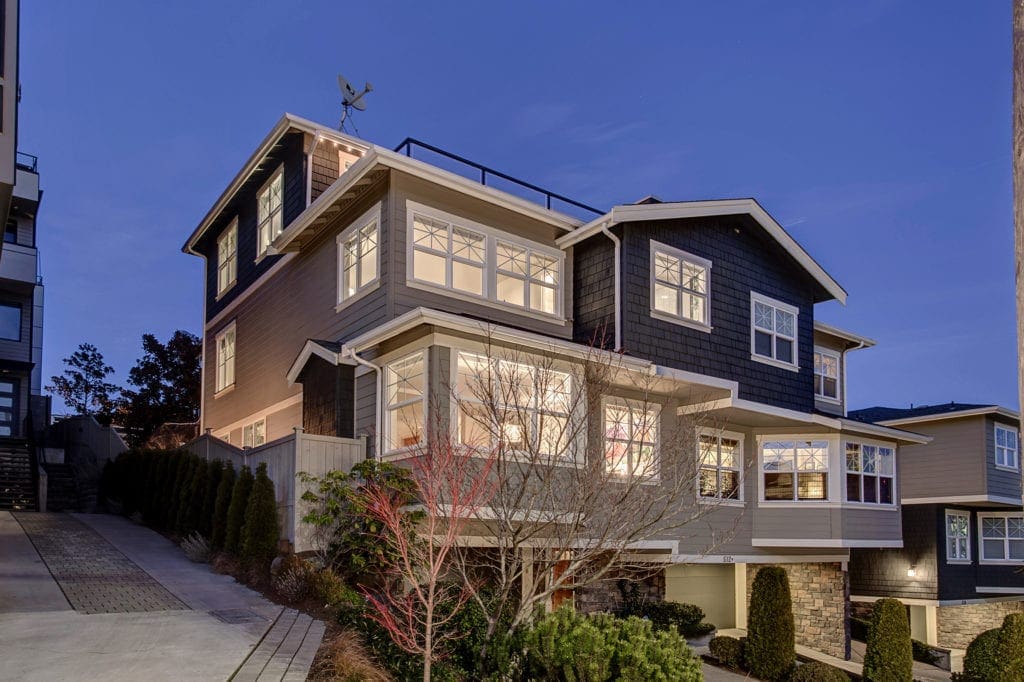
column 96, row 598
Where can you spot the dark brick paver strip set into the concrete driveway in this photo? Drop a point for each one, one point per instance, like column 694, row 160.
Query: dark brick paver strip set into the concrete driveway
column 93, row 574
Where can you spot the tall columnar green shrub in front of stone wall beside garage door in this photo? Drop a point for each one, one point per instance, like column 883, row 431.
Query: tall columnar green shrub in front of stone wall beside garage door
column 772, row 649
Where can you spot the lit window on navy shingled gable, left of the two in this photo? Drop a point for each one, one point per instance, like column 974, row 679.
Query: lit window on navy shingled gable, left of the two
column 679, row 285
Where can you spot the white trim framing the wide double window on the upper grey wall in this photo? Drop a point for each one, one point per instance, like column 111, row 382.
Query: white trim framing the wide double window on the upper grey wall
column 492, row 237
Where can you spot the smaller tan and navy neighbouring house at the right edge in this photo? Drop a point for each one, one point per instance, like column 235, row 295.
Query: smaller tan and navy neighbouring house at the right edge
column 960, row 570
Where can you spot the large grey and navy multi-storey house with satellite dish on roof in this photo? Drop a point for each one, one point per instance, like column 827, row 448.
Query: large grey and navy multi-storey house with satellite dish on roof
column 349, row 286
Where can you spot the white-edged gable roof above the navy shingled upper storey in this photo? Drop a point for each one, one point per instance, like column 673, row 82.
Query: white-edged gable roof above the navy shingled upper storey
column 673, row 210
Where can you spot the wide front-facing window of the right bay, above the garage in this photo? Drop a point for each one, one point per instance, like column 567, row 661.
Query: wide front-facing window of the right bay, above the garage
column 795, row 471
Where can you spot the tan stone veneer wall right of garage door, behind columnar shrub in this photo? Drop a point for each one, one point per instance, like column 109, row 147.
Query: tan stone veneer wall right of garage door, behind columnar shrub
column 821, row 598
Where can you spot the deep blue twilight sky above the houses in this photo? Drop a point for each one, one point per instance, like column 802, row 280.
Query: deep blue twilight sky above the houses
column 877, row 133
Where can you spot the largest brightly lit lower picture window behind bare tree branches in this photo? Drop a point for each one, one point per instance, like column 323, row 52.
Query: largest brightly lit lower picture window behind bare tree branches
column 531, row 406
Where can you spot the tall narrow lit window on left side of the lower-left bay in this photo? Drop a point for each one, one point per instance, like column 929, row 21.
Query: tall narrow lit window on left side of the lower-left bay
column 406, row 393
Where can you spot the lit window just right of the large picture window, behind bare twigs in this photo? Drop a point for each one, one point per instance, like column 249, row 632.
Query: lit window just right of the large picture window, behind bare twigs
column 631, row 434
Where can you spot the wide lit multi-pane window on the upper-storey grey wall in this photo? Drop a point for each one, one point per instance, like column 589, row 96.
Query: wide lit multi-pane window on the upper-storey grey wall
column 481, row 263
